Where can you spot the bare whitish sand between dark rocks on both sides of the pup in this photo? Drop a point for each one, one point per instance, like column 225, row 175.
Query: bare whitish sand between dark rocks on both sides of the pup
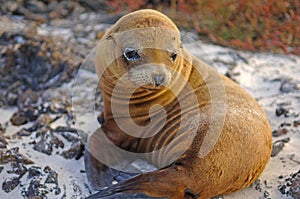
column 272, row 79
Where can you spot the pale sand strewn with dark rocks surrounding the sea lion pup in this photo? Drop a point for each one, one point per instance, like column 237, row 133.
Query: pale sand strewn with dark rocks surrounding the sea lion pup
column 48, row 92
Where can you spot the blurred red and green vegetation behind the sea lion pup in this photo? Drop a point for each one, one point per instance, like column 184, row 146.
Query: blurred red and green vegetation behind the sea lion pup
column 264, row 25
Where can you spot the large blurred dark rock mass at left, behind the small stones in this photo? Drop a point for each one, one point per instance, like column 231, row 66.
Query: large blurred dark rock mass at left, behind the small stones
column 30, row 64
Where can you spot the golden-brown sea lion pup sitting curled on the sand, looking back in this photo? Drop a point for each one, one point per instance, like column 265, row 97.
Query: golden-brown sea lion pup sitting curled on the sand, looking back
column 208, row 136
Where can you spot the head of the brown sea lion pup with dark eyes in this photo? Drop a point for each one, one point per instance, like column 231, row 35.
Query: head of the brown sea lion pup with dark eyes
column 143, row 49
